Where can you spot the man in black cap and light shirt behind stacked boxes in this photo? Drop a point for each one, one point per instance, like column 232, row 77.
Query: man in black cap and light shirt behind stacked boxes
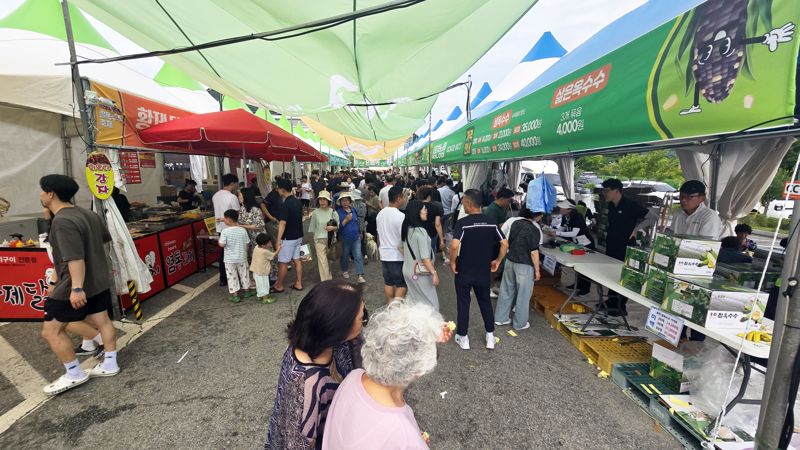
column 695, row 218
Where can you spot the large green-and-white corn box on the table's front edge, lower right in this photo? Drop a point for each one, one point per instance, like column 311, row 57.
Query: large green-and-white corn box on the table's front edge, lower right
column 714, row 303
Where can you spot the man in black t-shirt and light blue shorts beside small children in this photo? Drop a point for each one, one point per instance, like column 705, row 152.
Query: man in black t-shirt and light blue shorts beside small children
column 290, row 236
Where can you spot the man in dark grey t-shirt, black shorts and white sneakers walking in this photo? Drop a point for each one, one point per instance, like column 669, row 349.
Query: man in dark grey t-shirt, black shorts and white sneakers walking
column 81, row 291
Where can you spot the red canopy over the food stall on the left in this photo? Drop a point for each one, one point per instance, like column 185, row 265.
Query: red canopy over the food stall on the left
column 234, row 134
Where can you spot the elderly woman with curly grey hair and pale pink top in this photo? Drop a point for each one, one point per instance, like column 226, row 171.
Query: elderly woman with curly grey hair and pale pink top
column 368, row 410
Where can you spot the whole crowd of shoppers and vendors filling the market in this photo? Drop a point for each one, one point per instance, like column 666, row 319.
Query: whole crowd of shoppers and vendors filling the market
column 343, row 369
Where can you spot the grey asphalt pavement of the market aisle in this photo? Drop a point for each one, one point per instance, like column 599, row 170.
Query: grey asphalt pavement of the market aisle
column 533, row 391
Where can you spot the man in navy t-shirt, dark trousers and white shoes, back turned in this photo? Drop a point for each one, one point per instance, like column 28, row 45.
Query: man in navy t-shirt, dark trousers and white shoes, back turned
column 471, row 253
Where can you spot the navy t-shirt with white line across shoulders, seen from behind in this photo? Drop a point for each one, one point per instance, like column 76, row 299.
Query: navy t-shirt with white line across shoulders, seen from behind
column 478, row 237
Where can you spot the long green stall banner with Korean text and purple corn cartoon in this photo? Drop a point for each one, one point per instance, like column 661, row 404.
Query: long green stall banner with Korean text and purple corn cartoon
column 725, row 66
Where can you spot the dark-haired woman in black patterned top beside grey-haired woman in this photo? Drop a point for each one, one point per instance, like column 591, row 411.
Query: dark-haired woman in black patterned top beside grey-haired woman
column 324, row 346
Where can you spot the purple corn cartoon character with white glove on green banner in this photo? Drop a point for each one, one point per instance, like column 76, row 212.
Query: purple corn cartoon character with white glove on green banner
column 717, row 35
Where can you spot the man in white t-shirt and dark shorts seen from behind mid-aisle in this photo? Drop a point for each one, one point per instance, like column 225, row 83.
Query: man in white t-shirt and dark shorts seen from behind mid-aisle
column 390, row 224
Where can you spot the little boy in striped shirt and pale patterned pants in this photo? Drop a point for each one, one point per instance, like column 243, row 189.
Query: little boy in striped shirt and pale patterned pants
column 234, row 240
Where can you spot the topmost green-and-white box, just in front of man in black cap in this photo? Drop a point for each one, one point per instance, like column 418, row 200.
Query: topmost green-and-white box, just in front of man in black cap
column 685, row 255
